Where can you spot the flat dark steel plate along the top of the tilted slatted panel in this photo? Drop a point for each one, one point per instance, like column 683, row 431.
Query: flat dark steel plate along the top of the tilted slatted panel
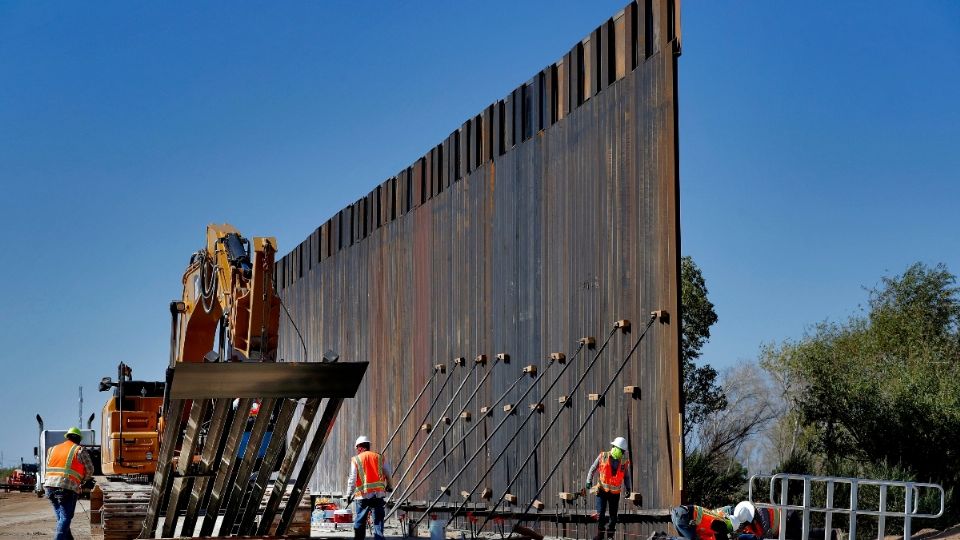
column 266, row 380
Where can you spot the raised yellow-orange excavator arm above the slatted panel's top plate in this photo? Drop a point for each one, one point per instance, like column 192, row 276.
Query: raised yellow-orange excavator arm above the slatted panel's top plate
column 229, row 283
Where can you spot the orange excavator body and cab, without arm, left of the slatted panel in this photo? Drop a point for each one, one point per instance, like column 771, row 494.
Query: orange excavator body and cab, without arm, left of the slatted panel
column 130, row 429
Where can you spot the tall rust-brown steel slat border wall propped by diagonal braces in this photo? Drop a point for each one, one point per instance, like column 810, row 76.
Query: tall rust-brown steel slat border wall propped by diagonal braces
column 546, row 217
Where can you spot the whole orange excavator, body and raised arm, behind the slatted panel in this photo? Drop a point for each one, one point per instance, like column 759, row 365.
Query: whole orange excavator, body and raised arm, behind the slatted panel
column 229, row 312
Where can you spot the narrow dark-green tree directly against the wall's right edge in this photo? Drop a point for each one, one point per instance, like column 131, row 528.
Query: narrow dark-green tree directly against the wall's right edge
column 702, row 395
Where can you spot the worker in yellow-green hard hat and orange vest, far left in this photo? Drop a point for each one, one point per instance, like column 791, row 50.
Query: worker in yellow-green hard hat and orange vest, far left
column 68, row 467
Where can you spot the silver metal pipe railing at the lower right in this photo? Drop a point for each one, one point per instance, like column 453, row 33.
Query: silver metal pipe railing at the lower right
column 911, row 506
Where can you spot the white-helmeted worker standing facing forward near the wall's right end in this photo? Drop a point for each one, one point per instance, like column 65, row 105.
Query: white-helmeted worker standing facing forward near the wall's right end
column 614, row 472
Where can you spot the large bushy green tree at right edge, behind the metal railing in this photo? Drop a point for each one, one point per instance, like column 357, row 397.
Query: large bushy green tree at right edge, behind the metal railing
column 881, row 390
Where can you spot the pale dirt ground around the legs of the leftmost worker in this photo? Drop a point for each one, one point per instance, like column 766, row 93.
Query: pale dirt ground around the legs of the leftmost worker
column 24, row 515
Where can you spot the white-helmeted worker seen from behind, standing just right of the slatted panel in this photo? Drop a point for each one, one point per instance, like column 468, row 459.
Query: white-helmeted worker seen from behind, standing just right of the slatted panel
column 367, row 485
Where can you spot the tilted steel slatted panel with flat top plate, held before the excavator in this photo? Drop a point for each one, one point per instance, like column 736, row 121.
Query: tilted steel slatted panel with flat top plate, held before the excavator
column 196, row 389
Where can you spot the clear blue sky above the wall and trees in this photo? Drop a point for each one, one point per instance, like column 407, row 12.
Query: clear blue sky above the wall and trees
column 819, row 145
